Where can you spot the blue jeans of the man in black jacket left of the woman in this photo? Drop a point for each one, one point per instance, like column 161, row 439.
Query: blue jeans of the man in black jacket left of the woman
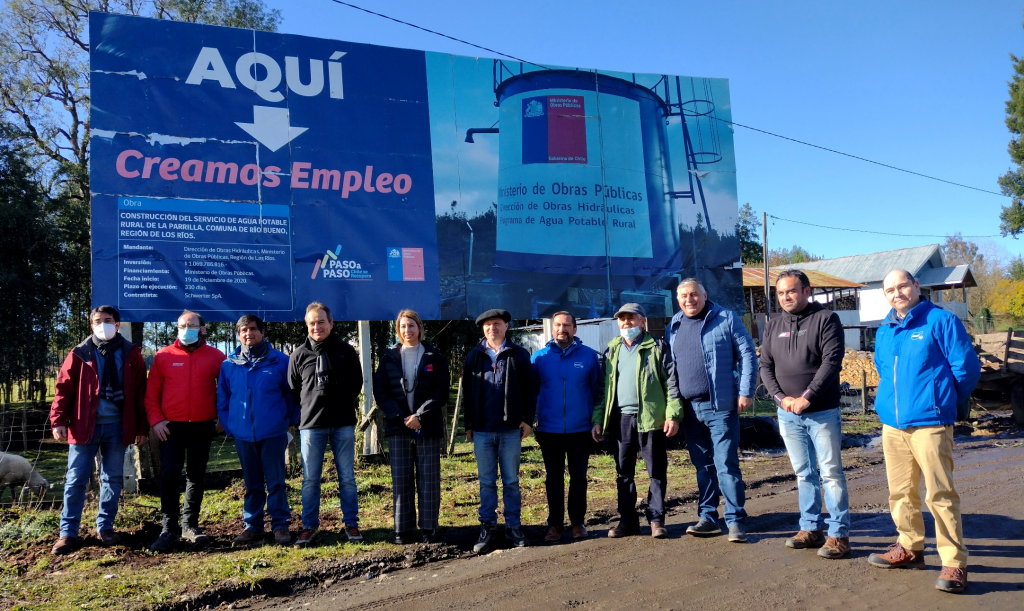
column 314, row 444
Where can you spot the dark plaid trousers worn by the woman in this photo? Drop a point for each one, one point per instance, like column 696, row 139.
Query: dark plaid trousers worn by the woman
column 416, row 464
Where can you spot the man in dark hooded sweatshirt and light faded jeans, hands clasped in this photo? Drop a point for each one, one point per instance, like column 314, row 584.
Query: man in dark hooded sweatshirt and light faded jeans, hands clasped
column 801, row 360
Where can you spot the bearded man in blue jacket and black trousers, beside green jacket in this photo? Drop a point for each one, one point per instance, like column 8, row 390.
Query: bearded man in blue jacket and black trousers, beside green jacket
column 572, row 382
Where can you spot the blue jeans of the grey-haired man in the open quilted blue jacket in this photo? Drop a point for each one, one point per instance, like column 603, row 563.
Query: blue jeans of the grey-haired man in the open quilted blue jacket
column 713, row 441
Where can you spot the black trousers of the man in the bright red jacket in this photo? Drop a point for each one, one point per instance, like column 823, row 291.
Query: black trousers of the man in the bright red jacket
column 188, row 447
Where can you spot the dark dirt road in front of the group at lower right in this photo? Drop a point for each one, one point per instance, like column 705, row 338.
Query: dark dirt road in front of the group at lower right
column 684, row 573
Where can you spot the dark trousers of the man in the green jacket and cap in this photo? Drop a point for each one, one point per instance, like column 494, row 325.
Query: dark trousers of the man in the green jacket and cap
column 652, row 448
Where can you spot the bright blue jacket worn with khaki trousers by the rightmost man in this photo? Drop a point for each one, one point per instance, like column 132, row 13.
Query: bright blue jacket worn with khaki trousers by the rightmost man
column 927, row 366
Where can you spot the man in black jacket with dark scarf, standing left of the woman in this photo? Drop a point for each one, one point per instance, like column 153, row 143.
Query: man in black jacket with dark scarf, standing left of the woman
column 326, row 379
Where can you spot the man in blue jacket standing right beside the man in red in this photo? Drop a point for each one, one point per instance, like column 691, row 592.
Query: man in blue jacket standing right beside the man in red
column 255, row 407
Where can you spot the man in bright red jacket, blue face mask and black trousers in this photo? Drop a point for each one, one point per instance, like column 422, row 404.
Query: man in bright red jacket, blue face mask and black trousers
column 182, row 405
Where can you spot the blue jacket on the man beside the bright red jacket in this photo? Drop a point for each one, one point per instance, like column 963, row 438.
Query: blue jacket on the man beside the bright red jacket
column 254, row 402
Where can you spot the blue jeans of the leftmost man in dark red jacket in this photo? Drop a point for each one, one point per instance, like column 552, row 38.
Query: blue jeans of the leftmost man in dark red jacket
column 81, row 457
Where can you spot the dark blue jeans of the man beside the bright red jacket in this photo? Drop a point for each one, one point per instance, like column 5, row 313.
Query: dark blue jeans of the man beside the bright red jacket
column 264, row 472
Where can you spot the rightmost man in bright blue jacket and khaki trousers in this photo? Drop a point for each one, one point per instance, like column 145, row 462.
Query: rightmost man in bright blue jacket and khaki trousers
column 927, row 370
